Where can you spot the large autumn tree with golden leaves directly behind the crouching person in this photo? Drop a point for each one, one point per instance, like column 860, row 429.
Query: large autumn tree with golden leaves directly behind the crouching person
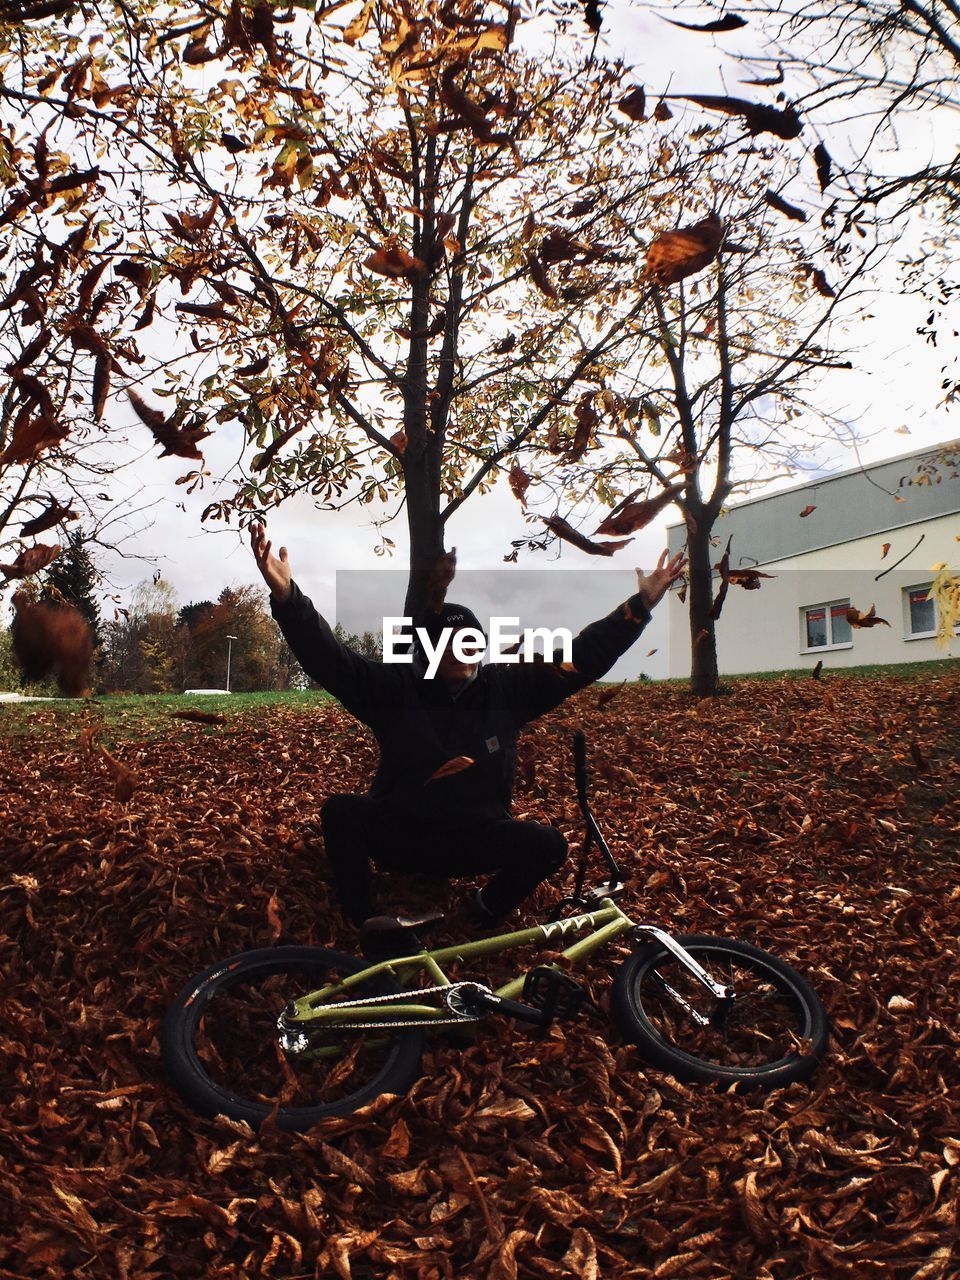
column 392, row 273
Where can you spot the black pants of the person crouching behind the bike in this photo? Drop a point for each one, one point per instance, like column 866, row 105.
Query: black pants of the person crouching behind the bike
column 360, row 830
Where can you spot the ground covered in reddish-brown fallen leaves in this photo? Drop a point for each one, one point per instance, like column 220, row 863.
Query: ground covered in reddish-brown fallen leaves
column 816, row 819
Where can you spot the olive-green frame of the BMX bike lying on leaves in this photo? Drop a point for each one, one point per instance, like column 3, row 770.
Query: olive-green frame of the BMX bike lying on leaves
column 316, row 1009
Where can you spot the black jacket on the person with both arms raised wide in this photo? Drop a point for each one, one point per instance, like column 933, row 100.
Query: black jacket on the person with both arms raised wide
column 419, row 725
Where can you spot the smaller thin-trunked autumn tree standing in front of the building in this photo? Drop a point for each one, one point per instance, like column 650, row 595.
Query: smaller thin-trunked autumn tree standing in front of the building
column 719, row 395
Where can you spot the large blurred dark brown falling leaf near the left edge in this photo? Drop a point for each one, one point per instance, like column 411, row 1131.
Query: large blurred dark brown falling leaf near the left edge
column 53, row 641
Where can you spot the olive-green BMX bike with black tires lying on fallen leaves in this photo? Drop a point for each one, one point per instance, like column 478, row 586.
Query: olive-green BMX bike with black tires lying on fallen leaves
column 304, row 1034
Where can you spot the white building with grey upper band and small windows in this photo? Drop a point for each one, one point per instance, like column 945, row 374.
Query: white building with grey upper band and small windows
column 862, row 538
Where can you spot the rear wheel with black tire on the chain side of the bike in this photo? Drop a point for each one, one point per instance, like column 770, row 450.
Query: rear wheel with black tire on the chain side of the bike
column 221, row 1050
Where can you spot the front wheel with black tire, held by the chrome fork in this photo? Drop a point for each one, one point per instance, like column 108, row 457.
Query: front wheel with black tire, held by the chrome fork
column 774, row 1034
